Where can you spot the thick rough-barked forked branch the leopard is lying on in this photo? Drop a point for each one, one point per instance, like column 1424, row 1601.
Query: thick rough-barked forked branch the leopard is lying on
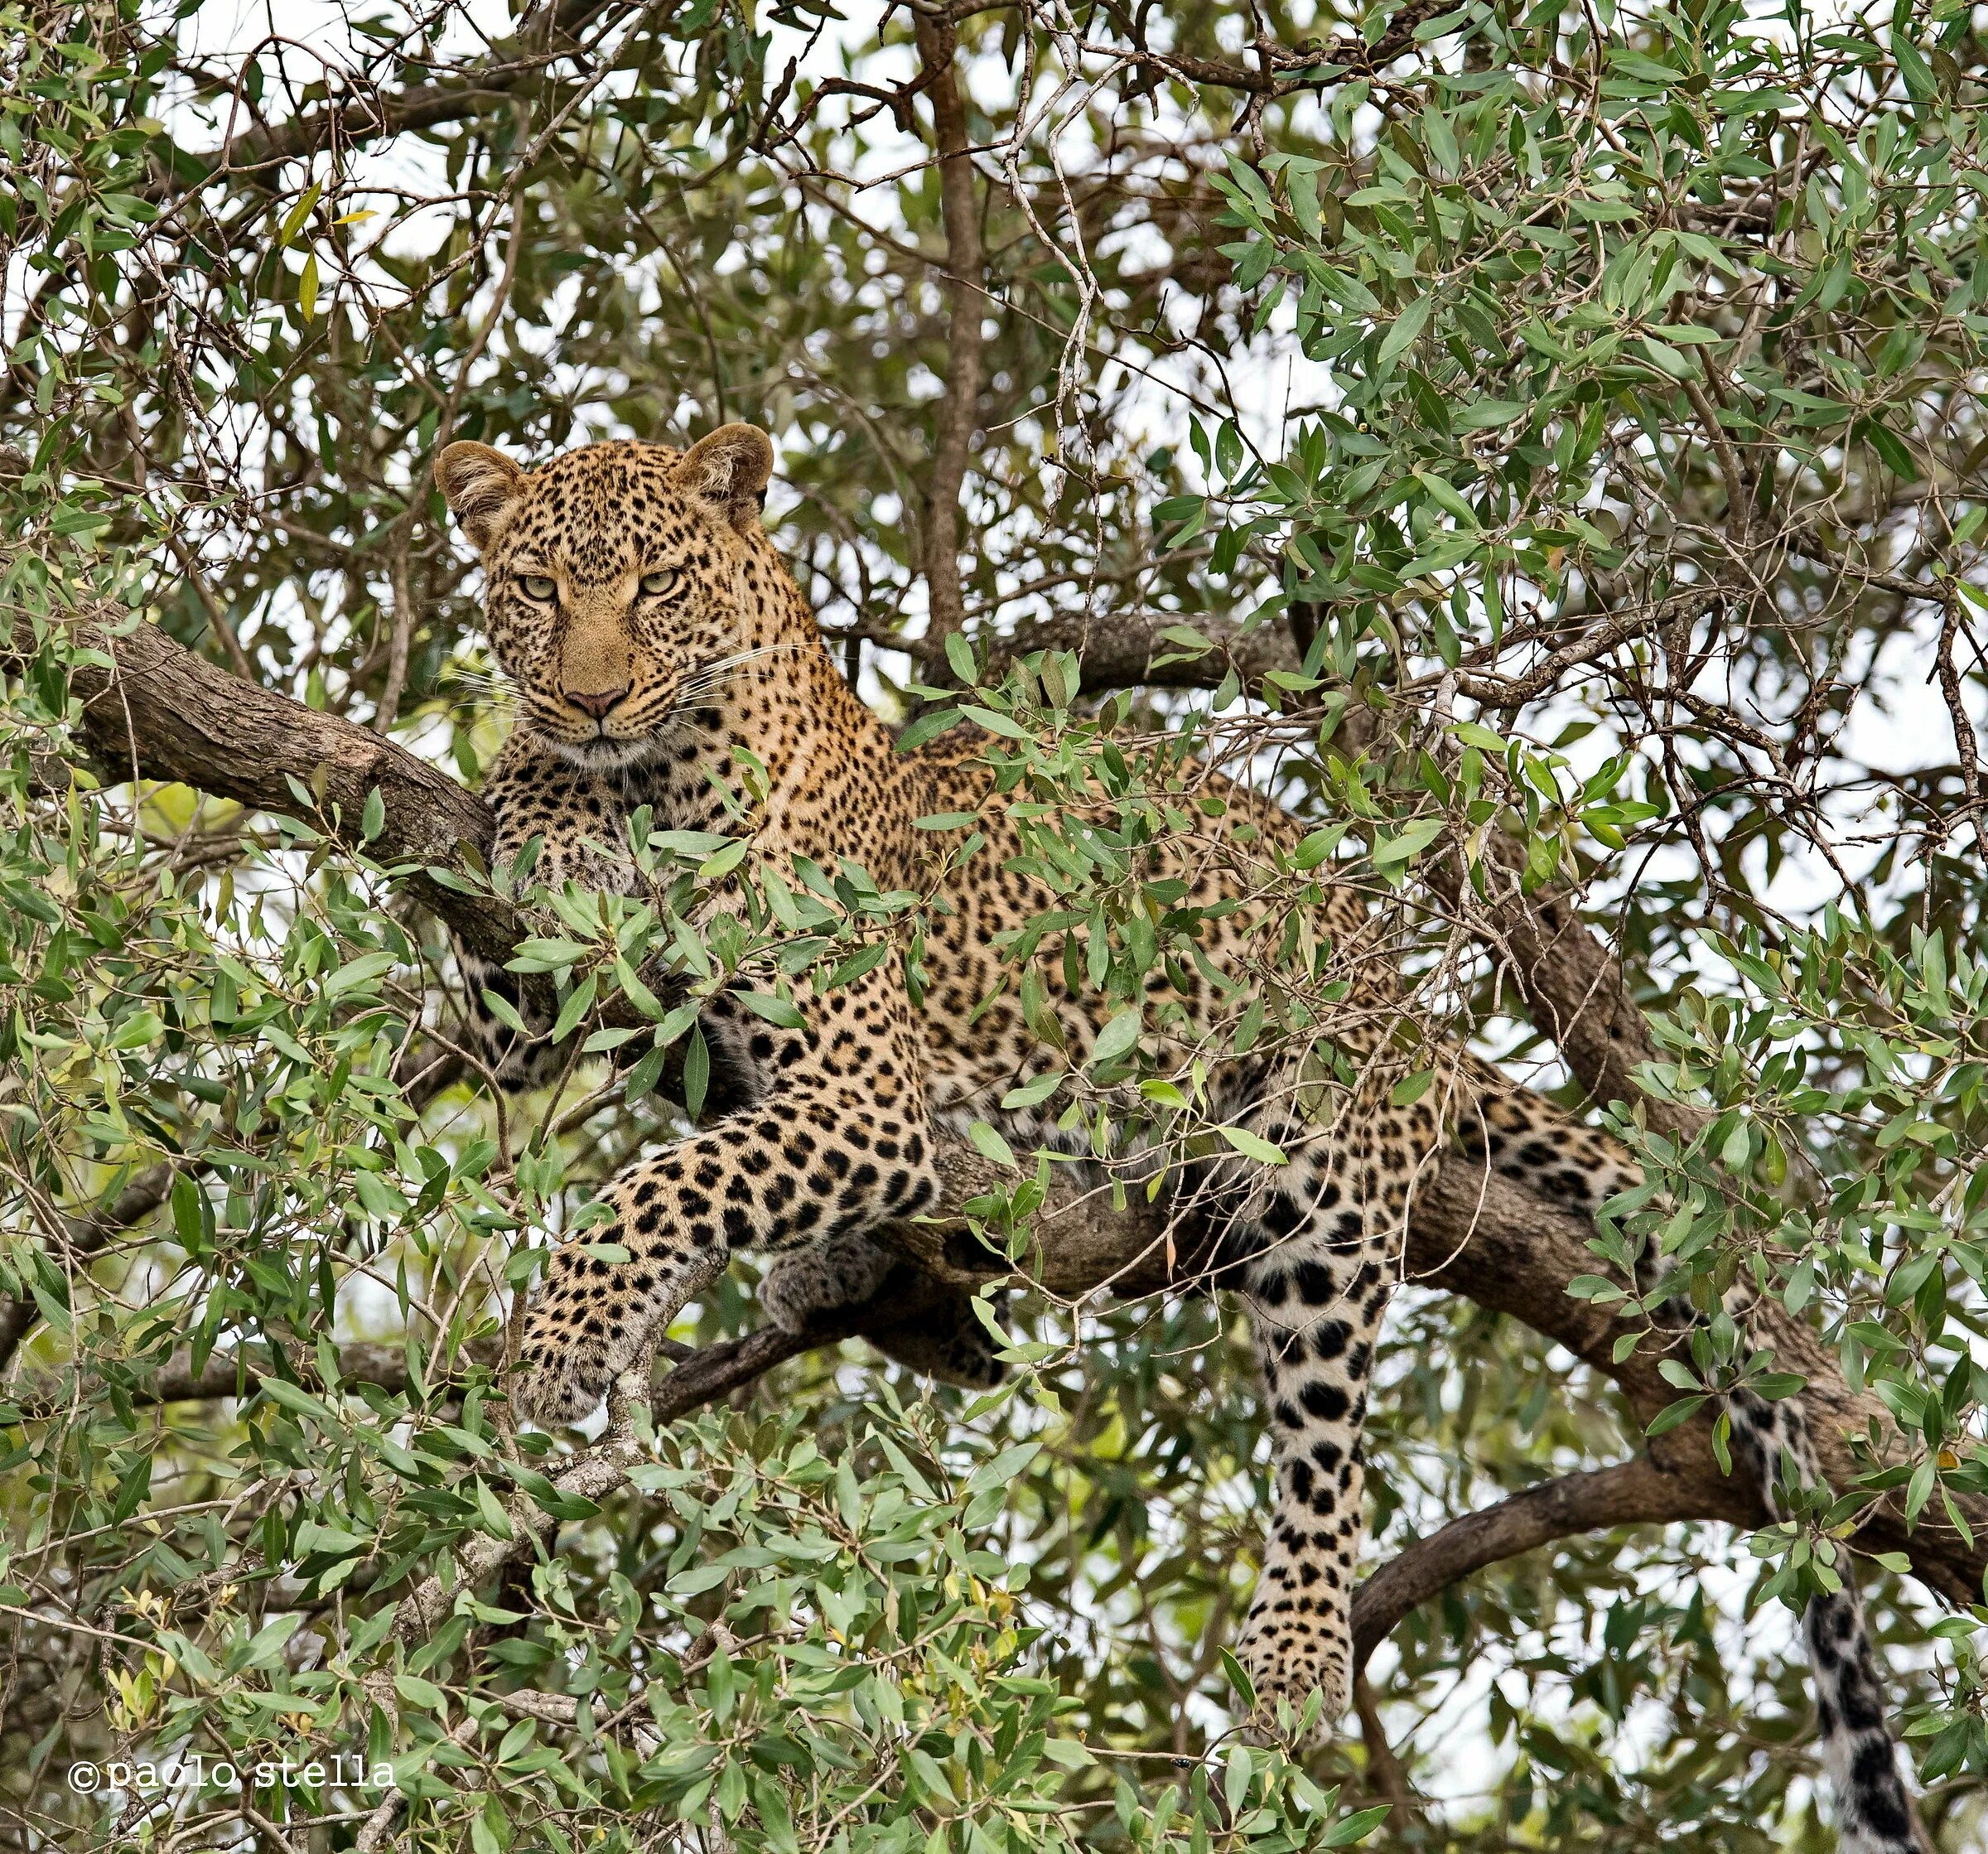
column 170, row 717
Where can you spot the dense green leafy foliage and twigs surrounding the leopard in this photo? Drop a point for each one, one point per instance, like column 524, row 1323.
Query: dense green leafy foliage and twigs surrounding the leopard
column 1524, row 437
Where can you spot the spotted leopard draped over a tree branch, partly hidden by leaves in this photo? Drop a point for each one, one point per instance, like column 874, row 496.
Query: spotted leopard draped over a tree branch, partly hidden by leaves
column 667, row 661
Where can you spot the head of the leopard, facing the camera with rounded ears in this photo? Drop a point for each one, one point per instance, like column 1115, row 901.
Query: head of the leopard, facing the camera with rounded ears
column 613, row 580
